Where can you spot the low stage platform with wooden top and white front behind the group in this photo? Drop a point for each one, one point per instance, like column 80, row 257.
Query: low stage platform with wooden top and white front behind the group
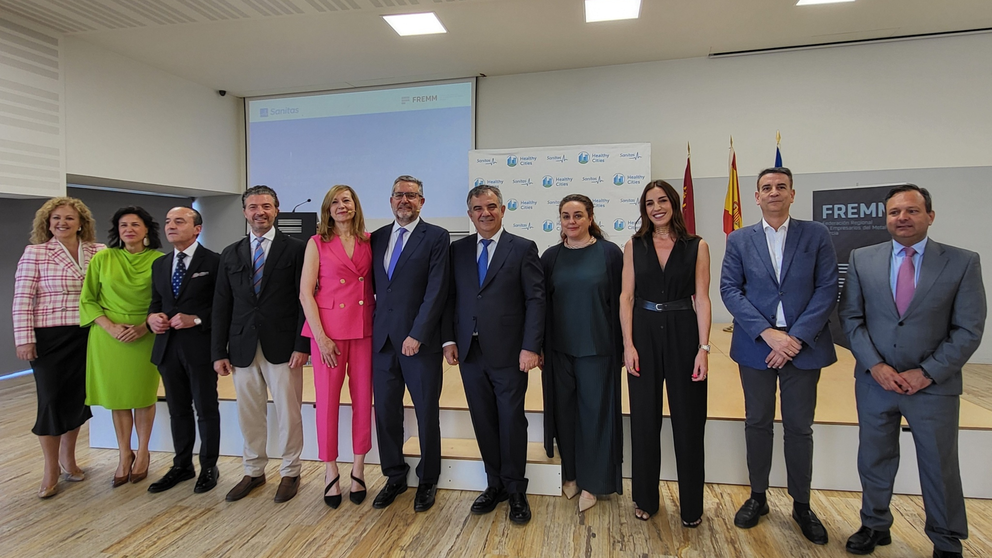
column 835, row 433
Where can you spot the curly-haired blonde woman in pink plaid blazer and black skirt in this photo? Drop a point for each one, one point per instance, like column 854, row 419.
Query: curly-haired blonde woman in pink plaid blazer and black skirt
column 46, row 330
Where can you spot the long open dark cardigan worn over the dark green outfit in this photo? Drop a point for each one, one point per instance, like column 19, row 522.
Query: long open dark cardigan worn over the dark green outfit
column 614, row 270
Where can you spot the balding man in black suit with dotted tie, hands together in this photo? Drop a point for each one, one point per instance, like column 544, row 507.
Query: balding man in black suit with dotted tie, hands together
column 179, row 315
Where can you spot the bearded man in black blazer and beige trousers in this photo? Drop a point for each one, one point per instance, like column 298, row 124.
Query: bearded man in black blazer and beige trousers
column 258, row 322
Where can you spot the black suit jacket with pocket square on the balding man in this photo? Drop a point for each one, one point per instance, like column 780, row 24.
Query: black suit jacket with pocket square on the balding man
column 196, row 296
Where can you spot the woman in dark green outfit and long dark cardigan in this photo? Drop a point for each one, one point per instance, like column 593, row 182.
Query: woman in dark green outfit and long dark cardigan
column 583, row 355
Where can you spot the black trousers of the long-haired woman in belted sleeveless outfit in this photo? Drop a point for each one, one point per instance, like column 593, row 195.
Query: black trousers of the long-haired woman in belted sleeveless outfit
column 671, row 365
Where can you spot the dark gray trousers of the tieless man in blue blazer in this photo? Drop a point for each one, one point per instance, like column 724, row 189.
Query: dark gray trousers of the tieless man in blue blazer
column 798, row 389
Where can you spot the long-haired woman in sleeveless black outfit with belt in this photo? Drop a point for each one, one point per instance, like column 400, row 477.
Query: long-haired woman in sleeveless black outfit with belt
column 665, row 316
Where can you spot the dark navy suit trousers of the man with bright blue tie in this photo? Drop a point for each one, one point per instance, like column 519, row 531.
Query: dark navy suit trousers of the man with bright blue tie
column 496, row 404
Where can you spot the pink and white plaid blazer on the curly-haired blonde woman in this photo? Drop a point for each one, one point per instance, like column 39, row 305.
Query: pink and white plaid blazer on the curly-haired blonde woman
column 46, row 288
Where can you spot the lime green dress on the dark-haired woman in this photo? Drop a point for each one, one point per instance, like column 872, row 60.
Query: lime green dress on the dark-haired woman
column 118, row 285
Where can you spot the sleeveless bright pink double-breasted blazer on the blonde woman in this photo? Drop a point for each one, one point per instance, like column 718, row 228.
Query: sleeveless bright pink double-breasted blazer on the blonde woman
column 344, row 293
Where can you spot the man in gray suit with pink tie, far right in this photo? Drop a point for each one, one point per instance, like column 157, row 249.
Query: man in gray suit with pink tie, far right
column 914, row 312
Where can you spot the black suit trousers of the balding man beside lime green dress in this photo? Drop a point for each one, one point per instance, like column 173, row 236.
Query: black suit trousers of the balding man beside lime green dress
column 188, row 384
